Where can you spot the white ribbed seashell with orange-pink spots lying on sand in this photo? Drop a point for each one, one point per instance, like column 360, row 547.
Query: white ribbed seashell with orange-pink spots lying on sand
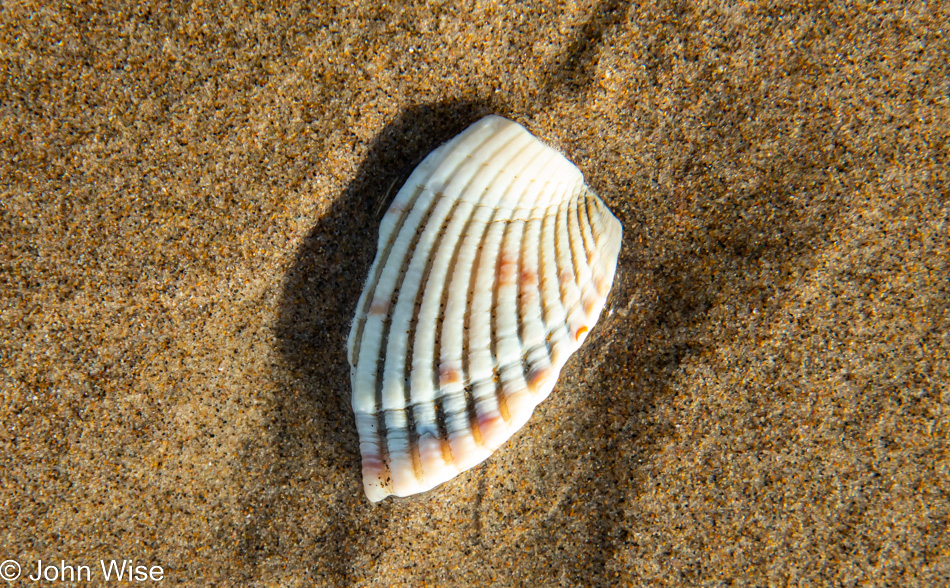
column 493, row 263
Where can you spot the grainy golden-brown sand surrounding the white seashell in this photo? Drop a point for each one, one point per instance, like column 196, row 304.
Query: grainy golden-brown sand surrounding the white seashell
column 190, row 197
